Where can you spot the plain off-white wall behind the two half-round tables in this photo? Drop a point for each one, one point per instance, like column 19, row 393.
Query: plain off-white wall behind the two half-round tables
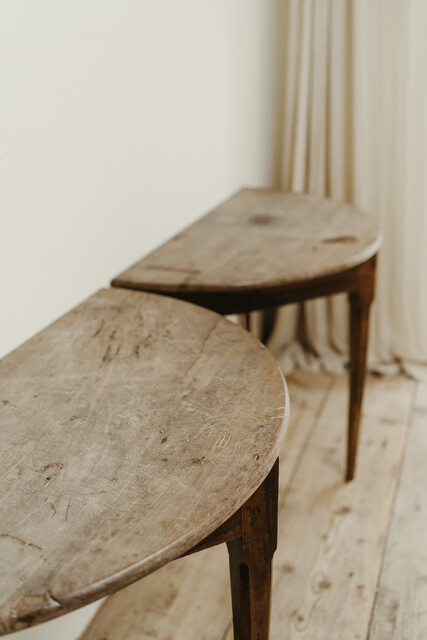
column 120, row 123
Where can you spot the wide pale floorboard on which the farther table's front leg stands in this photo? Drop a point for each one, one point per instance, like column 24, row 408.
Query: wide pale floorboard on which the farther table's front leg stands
column 331, row 534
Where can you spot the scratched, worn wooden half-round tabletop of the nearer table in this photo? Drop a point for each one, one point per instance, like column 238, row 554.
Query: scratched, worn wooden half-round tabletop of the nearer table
column 130, row 428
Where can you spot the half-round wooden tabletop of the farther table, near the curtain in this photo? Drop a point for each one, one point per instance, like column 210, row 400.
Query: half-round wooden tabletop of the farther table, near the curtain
column 259, row 238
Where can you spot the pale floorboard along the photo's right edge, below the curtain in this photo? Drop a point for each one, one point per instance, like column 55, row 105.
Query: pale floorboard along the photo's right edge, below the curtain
column 401, row 606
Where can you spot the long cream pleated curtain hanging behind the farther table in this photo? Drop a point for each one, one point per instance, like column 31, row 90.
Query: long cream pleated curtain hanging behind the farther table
column 355, row 129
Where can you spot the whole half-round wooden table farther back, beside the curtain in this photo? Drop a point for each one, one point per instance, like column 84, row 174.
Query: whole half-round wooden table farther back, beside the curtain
column 263, row 248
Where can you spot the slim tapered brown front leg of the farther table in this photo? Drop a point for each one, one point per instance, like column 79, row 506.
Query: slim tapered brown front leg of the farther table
column 360, row 303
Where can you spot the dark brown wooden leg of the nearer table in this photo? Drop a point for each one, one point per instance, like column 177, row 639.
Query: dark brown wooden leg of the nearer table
column 251, row 562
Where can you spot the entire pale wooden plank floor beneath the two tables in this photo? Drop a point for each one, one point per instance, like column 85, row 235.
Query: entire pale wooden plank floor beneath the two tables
column 352, row 559
